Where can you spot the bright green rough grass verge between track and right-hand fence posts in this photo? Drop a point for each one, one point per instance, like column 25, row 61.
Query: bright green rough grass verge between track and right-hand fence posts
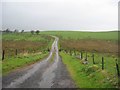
column 89, row 75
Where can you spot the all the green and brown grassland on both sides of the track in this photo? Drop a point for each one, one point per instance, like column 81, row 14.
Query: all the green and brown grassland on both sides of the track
column 102, row 44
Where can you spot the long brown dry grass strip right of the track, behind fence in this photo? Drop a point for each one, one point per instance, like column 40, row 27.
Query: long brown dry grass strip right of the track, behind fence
column 90, row 45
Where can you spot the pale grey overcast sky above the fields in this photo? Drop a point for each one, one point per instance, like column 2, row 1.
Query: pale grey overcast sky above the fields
column 60, row 14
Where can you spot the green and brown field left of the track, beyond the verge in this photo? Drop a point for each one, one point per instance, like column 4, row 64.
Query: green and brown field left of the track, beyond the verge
column 25, row 43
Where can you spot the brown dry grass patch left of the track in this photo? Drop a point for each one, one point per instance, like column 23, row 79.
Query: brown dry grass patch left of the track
column 22, row 47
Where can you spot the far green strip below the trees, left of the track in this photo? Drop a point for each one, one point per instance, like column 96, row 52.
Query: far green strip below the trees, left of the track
column 24, row 37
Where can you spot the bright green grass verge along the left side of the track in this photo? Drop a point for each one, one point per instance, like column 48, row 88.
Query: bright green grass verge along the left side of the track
column 13, row 63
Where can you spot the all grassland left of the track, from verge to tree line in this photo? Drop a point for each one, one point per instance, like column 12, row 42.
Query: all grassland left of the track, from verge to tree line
column 30, row 49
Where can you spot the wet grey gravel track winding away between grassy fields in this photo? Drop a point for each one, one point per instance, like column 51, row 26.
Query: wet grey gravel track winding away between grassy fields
column 43, row 74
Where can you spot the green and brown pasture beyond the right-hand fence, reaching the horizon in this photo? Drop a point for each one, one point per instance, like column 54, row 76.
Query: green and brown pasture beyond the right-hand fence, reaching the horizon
column 102, row 42
